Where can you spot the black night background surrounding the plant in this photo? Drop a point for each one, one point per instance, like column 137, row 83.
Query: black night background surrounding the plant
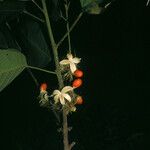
column 114, row 48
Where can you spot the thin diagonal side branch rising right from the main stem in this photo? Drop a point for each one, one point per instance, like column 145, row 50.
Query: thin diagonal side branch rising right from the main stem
column 71, row 28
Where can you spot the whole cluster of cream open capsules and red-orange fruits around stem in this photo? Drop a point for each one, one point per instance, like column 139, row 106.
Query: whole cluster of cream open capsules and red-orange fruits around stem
column 65, row 97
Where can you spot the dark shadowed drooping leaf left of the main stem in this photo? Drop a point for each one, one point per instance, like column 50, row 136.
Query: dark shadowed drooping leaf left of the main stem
column 33, row 42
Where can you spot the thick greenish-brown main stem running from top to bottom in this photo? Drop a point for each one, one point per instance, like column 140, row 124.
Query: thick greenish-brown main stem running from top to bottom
column 58, row 73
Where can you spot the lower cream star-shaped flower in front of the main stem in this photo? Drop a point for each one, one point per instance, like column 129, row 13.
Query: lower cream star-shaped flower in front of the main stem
column 62, row 95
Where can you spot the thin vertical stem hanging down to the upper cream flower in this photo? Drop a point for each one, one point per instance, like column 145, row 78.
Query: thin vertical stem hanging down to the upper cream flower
column 67, row 25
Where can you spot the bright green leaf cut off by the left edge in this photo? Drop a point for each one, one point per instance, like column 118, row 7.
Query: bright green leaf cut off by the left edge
column 12, row 63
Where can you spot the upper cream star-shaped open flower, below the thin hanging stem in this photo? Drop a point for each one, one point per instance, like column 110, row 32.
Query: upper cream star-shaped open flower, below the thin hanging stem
column 71, row 61
